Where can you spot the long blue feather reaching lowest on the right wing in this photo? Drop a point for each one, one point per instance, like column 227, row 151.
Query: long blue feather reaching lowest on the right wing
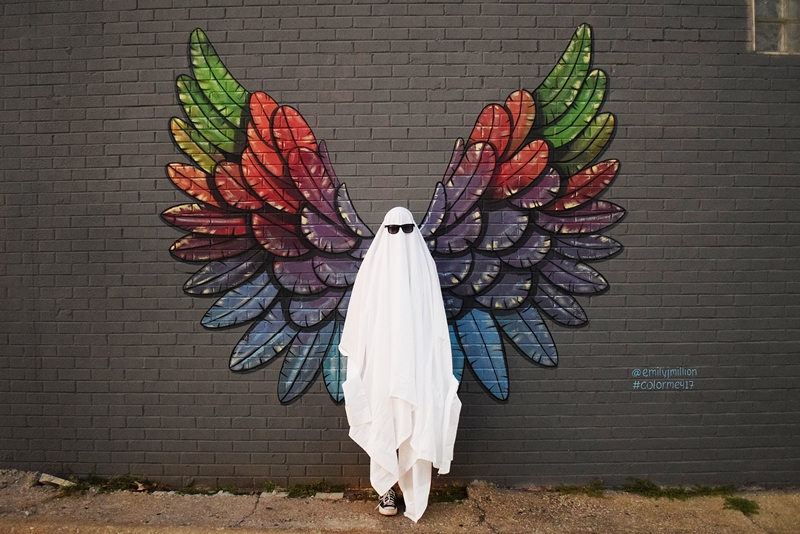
column 484, row 351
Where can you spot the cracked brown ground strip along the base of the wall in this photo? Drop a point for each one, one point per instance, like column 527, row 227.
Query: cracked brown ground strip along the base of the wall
column 28, row 507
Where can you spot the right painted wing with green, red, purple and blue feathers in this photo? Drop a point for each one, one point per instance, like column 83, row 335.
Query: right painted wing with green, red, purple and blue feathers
column 516, row 218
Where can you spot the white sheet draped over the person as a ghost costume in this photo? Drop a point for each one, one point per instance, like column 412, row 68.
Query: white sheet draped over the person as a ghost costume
column 400, row 392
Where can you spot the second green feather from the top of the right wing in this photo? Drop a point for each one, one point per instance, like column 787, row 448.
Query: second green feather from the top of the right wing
column 580, row 113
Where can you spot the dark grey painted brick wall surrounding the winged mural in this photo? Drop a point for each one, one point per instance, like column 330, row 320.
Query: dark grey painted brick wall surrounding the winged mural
column 104, row 367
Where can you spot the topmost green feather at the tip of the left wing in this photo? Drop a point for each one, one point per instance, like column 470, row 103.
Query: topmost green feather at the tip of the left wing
column 219, row 87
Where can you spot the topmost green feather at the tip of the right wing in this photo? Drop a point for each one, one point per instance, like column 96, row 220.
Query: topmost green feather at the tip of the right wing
column 562, row 85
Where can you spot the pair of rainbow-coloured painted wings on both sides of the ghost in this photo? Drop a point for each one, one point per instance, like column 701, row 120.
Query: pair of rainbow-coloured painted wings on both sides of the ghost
column 511, row 226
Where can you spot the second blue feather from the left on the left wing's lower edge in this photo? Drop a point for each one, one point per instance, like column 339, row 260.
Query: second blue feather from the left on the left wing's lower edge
column 265, row 340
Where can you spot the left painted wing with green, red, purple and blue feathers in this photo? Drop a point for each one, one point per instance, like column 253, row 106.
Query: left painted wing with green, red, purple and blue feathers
column 279, row 238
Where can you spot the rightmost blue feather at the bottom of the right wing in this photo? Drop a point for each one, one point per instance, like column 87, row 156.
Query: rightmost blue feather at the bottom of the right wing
column 529, row 334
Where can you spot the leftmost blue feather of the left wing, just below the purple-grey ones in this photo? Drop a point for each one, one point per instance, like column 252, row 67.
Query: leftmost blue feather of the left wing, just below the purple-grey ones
column 243, row 303
